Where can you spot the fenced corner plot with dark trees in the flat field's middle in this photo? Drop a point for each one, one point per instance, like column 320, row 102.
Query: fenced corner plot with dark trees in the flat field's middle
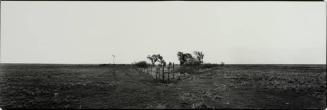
column 189, row 63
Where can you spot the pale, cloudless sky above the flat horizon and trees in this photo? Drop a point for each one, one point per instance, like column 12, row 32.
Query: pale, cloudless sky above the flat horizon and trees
column 233, row 32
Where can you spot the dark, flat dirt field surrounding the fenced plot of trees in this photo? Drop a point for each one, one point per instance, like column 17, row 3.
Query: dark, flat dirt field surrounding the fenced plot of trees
column 123, row 86
